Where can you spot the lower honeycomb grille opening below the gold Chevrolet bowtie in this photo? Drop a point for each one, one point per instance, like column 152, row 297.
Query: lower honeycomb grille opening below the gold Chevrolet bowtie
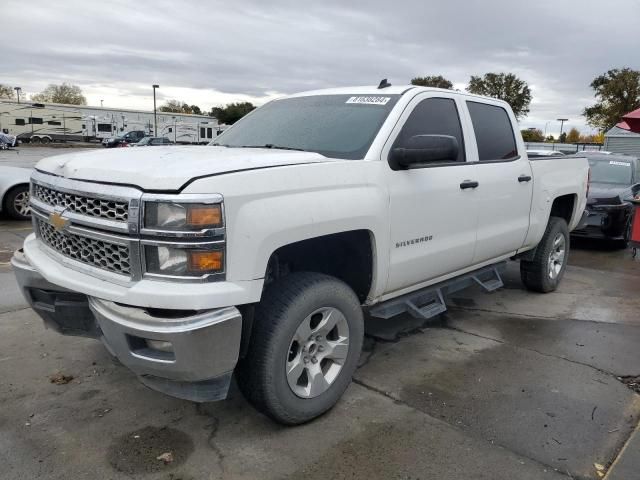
column 90, row 251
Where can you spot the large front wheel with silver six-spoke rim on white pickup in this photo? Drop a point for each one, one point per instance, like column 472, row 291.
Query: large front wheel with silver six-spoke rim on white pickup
column 287, row 307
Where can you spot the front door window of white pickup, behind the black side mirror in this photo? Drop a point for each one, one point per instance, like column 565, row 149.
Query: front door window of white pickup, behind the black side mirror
column 434, row 116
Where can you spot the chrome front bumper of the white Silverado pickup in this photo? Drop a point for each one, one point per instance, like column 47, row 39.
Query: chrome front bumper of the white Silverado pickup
column 199, row 348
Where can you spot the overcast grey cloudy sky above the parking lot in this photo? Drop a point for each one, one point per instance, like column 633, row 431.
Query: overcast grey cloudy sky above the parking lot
column 211, row 53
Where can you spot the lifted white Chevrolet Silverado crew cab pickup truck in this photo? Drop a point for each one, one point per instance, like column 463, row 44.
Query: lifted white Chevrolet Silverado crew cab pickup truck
column 255, row 257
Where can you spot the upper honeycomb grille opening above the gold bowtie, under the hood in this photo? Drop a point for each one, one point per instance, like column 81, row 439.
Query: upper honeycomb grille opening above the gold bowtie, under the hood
column 83, row 205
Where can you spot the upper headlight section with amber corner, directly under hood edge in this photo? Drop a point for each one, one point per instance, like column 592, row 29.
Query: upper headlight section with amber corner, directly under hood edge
column 182, row 216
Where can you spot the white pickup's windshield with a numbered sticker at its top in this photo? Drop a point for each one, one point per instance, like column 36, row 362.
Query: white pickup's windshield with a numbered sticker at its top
column 339, row 126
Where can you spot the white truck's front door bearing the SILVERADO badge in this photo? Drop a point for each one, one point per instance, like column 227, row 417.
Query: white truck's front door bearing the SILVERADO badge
column 432, row 216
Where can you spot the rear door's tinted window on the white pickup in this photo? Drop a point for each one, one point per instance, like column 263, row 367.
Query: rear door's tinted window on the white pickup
column 494, row 132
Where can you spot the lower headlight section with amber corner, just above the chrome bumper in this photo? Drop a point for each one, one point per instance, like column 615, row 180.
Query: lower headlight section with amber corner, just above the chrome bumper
column 183, row 262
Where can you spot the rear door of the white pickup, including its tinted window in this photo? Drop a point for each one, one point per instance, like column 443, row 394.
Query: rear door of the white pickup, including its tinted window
column 505, row 182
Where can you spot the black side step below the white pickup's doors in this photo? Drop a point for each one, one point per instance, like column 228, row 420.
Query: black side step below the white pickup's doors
column 429, row 302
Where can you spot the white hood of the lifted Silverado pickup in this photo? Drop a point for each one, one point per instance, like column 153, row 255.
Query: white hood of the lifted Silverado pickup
column 168, row 168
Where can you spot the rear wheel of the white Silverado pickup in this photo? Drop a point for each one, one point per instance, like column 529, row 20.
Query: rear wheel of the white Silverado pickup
column 544, row 273
